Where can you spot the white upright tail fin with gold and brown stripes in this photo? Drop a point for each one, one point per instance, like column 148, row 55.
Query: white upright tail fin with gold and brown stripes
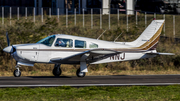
column 149, row 39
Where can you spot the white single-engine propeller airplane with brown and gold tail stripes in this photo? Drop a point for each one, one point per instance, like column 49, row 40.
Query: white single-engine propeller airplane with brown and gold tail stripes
column 67, row 49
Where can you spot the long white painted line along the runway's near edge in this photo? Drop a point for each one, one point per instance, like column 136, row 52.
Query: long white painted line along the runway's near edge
column 86, row 85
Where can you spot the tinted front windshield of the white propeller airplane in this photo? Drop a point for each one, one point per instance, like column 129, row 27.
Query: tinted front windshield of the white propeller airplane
column 48, row 40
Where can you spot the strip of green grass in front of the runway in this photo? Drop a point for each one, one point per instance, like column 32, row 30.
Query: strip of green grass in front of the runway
column 125, row 93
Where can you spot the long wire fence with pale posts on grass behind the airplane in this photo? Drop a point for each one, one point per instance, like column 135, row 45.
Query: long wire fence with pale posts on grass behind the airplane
column 94, row 18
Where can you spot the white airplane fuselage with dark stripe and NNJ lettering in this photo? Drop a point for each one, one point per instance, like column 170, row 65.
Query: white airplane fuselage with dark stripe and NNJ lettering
column 40, row 53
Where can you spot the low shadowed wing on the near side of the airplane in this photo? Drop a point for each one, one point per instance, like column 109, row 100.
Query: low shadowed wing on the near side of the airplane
column 92, row 56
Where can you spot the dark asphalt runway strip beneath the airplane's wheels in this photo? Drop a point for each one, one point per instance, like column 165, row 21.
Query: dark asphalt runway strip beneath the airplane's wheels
column 116, row 80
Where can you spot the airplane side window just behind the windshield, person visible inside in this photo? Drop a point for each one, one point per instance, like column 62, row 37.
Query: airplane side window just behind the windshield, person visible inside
column 61, row 42
